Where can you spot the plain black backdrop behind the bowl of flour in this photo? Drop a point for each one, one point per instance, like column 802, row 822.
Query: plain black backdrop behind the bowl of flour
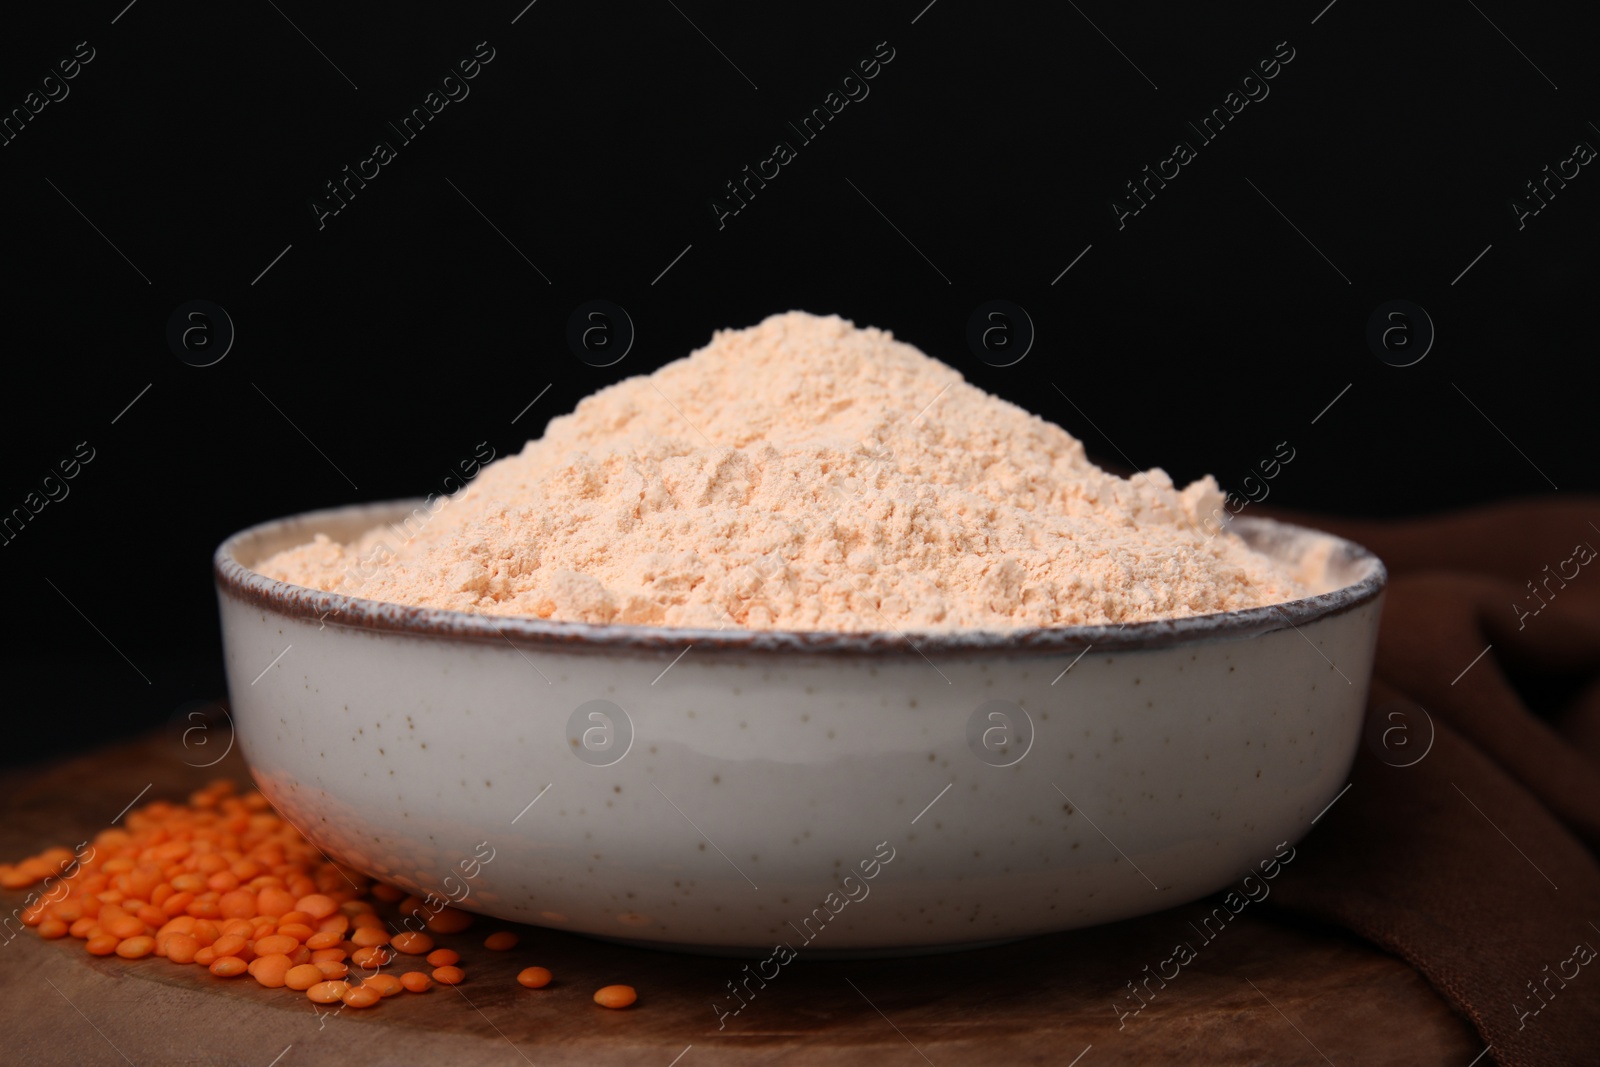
column 380, row 350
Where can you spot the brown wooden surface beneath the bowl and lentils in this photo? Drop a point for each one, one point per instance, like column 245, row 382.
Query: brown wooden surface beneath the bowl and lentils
column 1268, row 991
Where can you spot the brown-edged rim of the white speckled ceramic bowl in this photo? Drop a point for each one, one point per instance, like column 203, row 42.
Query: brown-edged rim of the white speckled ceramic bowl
column 329, row 609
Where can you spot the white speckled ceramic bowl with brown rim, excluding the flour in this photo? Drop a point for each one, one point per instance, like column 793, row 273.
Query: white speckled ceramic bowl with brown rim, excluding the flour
column 834, row 793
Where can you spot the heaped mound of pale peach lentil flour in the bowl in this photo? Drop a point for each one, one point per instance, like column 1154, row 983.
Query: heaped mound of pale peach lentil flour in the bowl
column 809, row 476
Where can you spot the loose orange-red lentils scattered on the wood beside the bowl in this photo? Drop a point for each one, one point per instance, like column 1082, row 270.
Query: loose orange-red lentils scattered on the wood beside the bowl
column 228, row 885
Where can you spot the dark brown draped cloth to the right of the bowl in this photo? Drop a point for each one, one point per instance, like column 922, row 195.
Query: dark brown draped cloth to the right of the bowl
column 1476, row 863
